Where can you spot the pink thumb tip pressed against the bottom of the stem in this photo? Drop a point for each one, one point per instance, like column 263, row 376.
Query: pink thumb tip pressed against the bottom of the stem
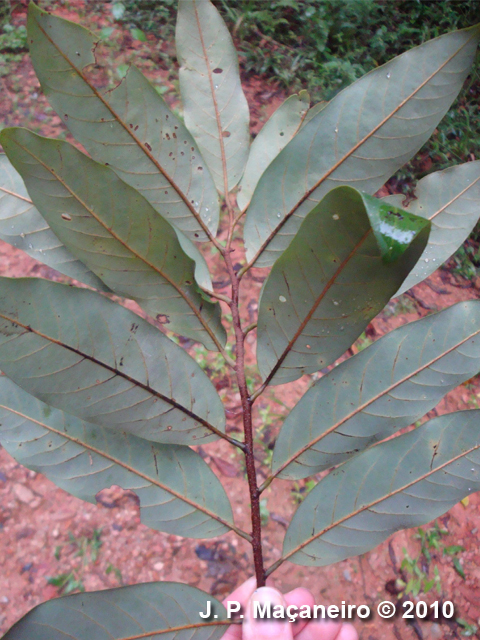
column 259, row 622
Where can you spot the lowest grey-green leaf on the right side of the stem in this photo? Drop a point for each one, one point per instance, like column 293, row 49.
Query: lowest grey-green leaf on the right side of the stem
column 402, row 483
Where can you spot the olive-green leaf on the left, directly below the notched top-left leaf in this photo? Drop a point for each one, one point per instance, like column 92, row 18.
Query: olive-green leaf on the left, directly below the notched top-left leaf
column 110, row 227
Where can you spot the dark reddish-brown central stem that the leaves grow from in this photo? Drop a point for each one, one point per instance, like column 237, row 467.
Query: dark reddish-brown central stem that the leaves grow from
column 247, row 425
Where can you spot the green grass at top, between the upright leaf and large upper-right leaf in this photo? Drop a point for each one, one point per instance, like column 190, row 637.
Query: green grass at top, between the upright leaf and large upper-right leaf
column 324, row 45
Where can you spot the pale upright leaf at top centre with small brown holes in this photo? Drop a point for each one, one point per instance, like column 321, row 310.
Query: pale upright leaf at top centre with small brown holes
column 215, row 107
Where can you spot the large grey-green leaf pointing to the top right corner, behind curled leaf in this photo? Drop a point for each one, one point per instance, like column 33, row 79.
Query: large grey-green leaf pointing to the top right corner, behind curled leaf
column 360, row 138
